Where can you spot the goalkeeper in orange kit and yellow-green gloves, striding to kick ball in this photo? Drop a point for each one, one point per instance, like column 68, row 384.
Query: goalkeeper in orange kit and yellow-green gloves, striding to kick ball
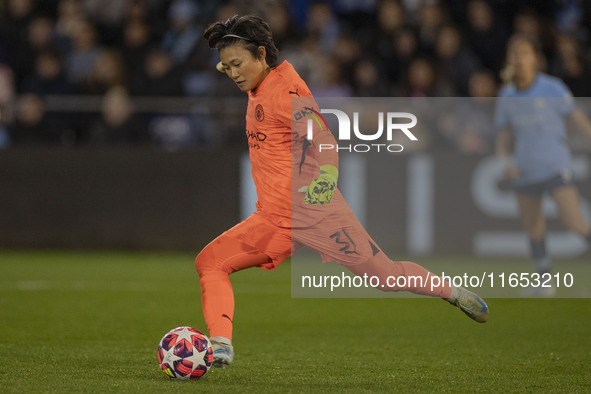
column 299, row 203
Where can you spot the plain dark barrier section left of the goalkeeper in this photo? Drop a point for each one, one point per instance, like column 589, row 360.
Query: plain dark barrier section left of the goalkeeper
column 116, row 198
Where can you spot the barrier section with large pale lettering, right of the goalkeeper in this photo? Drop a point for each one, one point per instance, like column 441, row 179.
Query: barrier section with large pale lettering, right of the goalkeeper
column 446, row 203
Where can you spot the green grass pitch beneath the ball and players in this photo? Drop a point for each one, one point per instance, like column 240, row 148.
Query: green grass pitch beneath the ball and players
column 91, row 322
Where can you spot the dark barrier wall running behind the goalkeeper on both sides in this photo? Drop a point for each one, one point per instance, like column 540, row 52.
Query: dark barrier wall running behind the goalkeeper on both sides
column 418, row 204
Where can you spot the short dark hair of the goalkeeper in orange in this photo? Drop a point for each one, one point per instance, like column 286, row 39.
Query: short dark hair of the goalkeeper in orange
column 251, row 31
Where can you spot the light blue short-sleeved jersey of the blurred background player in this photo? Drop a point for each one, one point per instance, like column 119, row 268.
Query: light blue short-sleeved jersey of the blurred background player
column 536, row 117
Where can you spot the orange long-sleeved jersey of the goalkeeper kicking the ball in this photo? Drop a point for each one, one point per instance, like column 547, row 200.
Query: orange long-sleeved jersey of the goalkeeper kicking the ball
column 282, row 159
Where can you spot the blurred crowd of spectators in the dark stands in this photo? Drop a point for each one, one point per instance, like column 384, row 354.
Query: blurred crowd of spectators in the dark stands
column 122, row 50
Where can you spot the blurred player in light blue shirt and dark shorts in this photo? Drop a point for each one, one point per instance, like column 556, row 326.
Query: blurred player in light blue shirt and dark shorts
column 531, row 116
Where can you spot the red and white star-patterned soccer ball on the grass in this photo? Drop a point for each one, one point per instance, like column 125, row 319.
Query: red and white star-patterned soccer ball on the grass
column 185, row 353
